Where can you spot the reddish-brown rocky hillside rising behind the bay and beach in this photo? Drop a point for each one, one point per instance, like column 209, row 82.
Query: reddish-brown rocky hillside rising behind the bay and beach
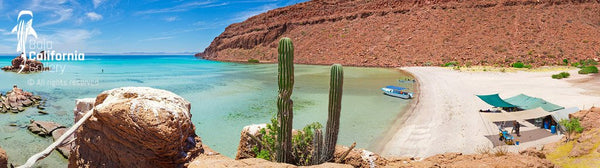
column 423, row 32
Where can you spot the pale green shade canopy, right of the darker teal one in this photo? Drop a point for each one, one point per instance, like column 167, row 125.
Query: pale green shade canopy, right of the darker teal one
column 527, row 102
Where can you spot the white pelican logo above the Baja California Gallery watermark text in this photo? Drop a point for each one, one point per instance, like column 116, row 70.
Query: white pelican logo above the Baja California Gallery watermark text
column 23, row 30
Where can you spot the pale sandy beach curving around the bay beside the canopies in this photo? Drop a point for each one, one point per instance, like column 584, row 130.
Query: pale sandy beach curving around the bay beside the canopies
column 445, row 116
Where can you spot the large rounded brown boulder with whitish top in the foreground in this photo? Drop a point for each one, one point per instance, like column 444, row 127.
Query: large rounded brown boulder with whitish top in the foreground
column 136, row 127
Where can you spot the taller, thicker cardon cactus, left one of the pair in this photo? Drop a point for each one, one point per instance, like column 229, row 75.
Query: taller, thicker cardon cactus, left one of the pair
column 285, row 113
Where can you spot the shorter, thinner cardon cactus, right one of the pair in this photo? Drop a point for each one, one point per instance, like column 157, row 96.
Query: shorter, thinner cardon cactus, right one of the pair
column 335, row 106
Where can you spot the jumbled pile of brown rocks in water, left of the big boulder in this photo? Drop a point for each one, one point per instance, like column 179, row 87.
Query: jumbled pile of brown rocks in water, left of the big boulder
column 17, row 100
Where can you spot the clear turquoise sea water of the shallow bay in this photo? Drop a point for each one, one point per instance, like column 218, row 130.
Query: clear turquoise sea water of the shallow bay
column 224, row 96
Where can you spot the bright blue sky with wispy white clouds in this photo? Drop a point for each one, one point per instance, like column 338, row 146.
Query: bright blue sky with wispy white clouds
column 120, row 26
